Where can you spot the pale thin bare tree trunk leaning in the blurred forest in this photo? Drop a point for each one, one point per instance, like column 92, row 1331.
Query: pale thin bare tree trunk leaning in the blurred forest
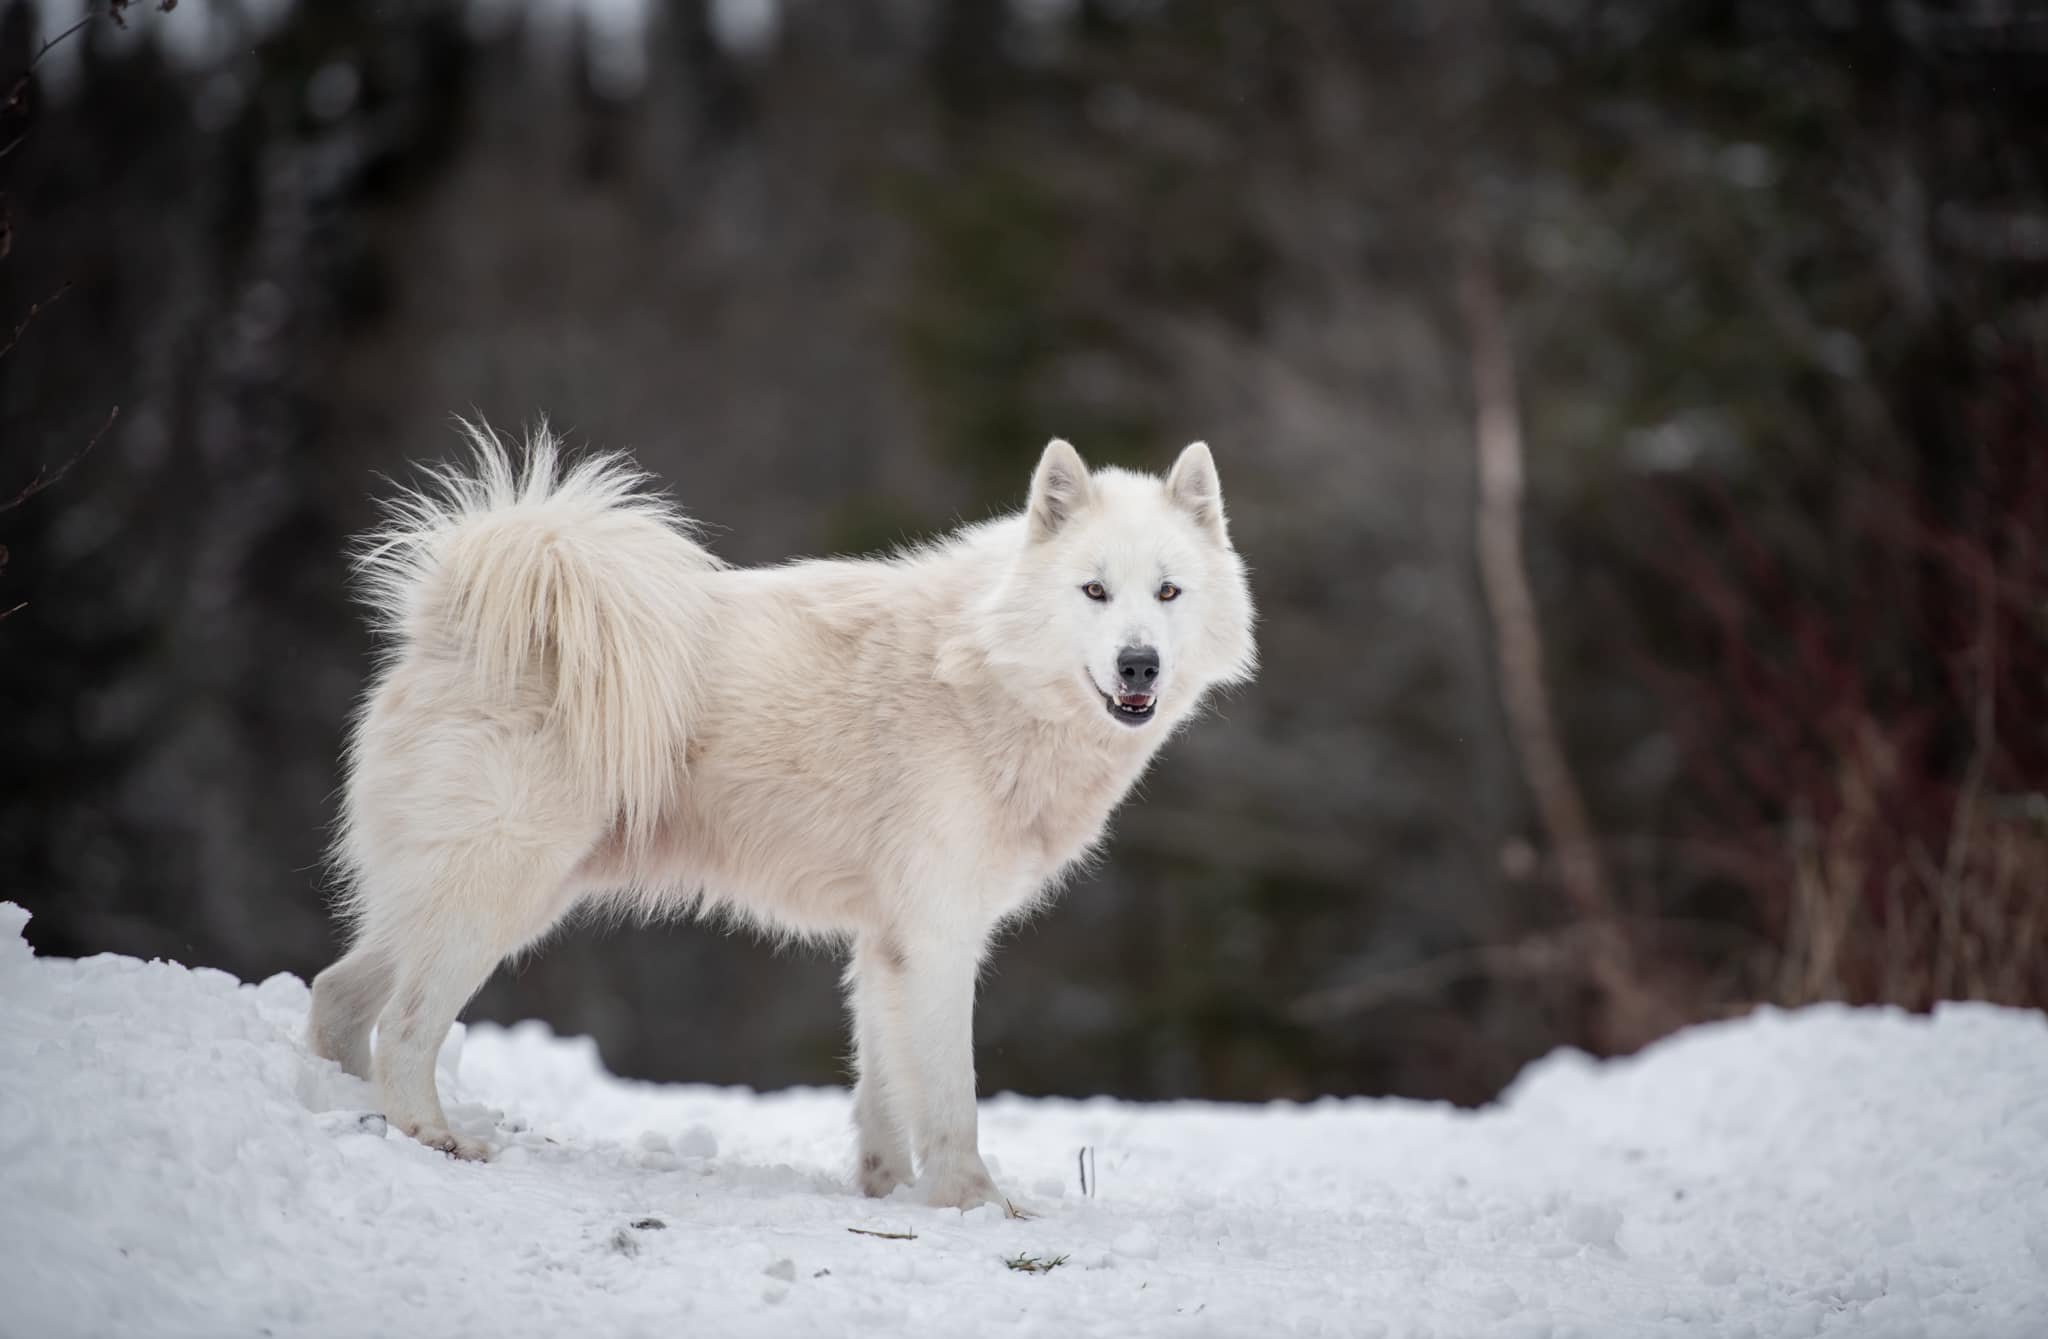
column 1631, row 1010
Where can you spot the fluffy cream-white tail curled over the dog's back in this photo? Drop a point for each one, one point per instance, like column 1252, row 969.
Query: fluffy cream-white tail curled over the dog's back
column 560, row 578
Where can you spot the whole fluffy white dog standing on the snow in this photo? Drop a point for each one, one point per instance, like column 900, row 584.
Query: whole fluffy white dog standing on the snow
column 583, row 705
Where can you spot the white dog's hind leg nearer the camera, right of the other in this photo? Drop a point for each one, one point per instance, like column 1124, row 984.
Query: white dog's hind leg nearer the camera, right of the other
column 488, row 902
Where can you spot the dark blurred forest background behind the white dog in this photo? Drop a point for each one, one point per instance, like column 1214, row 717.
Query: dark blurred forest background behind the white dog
column 1635, row 417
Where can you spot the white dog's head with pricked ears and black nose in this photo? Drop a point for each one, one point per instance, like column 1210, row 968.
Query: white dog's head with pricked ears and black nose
column 1127, row 589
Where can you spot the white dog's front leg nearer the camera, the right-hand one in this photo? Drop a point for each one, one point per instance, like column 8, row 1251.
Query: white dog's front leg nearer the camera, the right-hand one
column 927, row 986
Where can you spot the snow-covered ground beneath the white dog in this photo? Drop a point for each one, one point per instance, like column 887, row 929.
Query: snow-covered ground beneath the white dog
column 175, row 1164
